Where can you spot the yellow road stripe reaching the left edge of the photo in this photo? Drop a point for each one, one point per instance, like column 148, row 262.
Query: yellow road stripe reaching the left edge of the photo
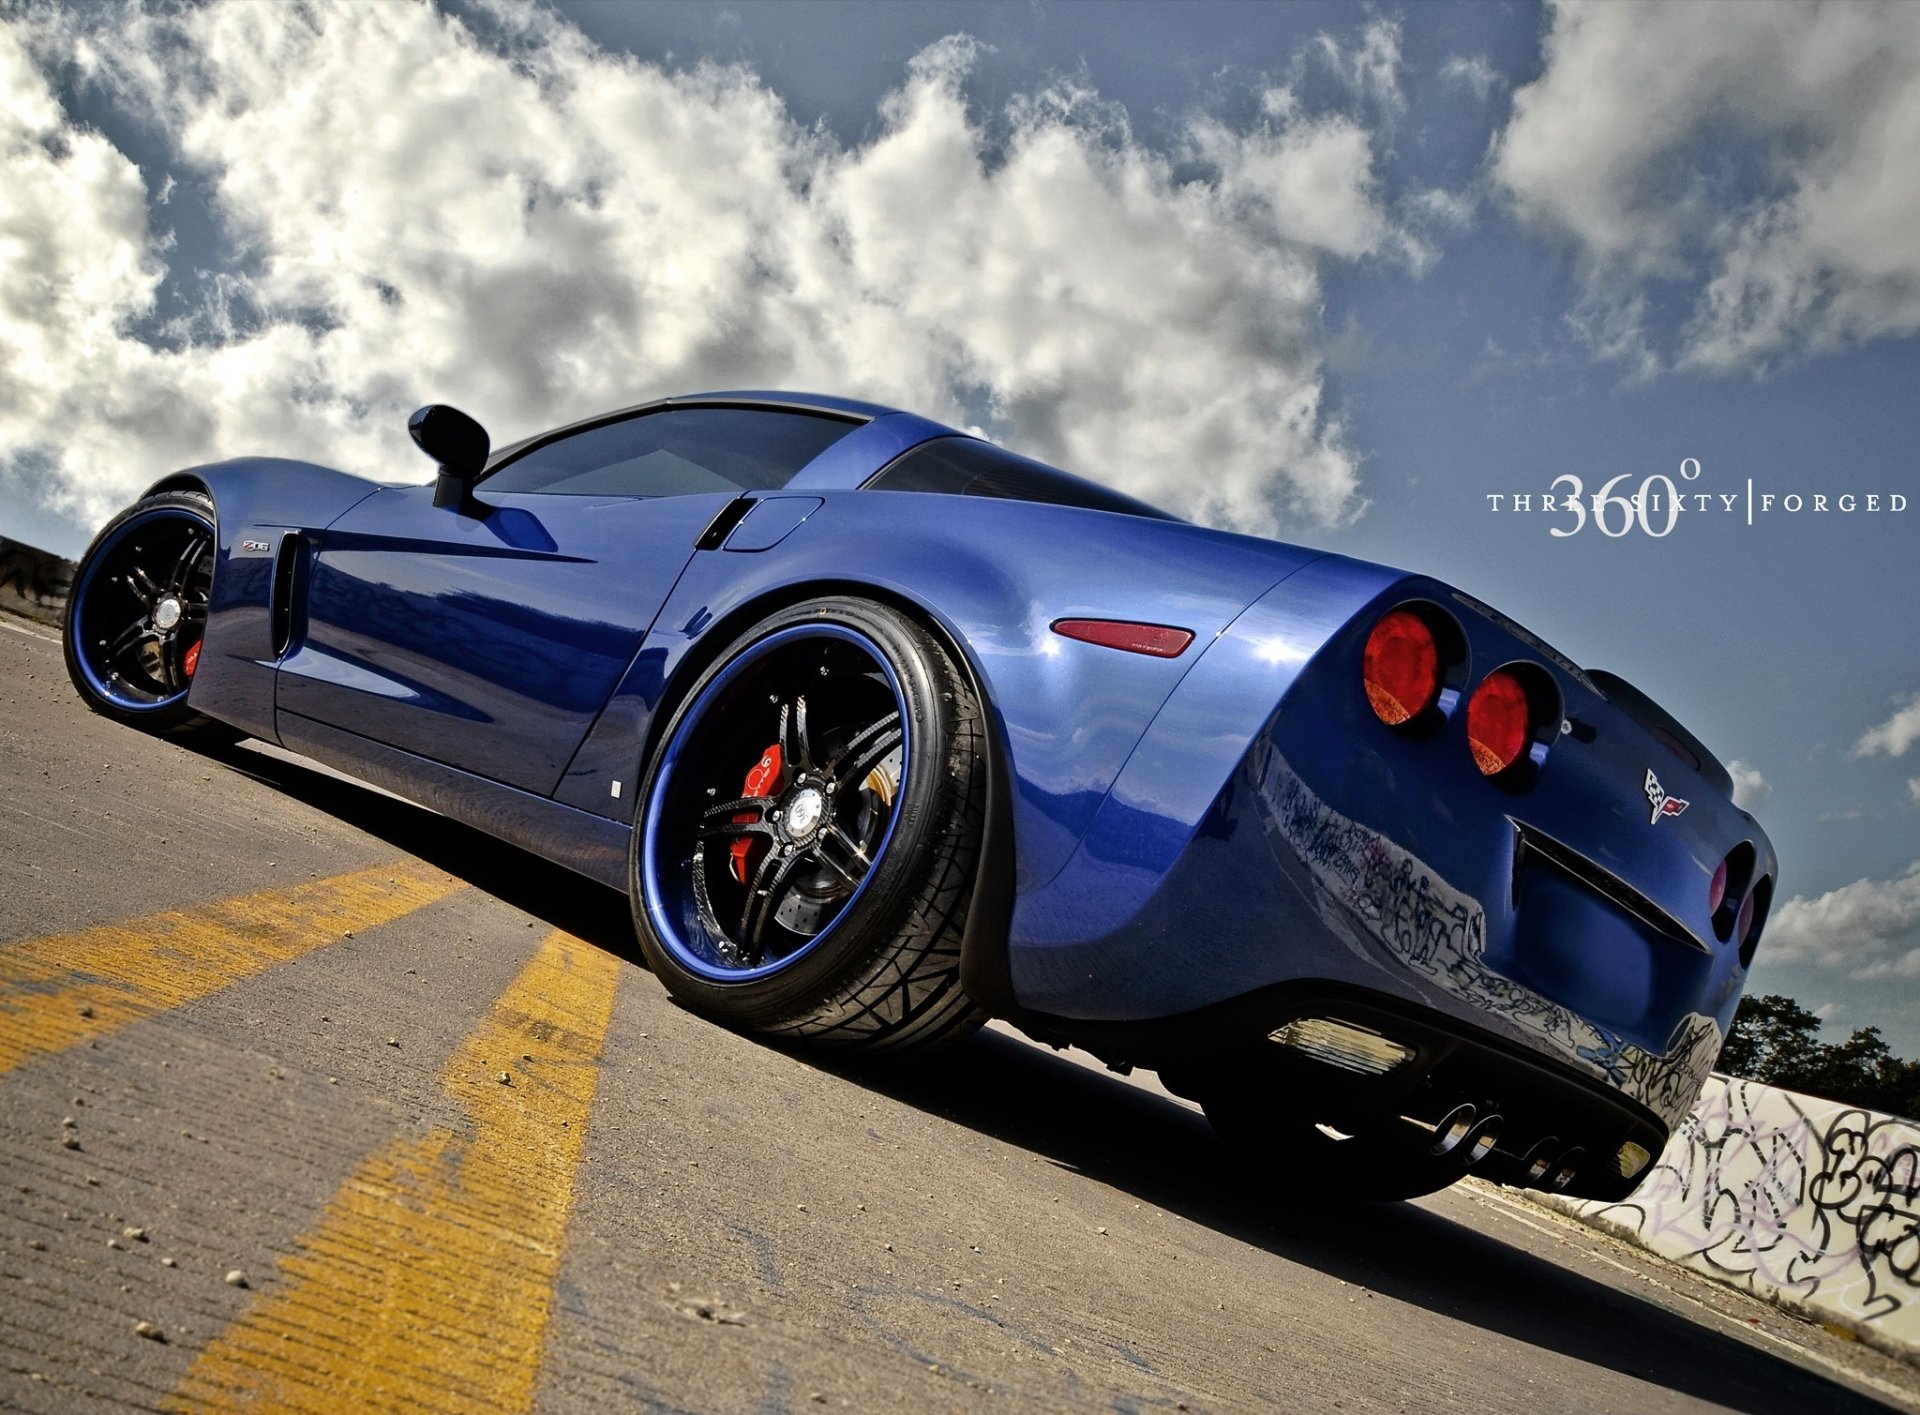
column 70, row 988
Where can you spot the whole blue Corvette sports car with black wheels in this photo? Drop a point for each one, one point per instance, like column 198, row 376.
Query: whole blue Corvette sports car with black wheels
column 886, row 731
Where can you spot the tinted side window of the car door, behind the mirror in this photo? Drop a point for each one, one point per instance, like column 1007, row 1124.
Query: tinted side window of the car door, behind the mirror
column 677, row 452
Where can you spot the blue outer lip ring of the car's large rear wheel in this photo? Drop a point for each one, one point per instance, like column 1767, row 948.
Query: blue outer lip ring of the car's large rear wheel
column 654, row 896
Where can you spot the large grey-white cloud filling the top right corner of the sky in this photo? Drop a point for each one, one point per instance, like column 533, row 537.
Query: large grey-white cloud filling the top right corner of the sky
column 1637, row 139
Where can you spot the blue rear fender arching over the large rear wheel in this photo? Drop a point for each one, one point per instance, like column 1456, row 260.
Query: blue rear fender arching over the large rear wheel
column 994, row 577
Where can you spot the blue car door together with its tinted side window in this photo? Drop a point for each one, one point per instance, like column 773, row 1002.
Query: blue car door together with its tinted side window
column 491, row 638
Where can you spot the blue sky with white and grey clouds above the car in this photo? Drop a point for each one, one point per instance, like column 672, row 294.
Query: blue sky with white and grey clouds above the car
column 1353, row 276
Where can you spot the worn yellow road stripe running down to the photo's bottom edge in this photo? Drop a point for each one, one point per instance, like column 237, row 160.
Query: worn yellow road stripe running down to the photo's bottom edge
column 429, row 1280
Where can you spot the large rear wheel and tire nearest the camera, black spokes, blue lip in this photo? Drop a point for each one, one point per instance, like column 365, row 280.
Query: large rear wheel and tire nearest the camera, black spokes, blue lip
column 794, row 934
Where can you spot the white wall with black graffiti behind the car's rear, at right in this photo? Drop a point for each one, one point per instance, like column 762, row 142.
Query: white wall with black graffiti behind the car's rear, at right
column 1804, row 1203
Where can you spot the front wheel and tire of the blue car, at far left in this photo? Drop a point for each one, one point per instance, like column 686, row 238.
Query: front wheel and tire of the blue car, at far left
column 137, row 615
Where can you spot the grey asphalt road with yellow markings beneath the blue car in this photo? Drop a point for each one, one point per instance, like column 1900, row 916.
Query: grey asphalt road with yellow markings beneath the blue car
column 314, row 1099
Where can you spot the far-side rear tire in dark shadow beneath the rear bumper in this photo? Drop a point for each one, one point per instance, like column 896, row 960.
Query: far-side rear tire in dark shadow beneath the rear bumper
column 1285, row 1151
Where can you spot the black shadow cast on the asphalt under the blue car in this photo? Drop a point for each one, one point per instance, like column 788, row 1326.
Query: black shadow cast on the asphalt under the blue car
column 1163, row 1153
